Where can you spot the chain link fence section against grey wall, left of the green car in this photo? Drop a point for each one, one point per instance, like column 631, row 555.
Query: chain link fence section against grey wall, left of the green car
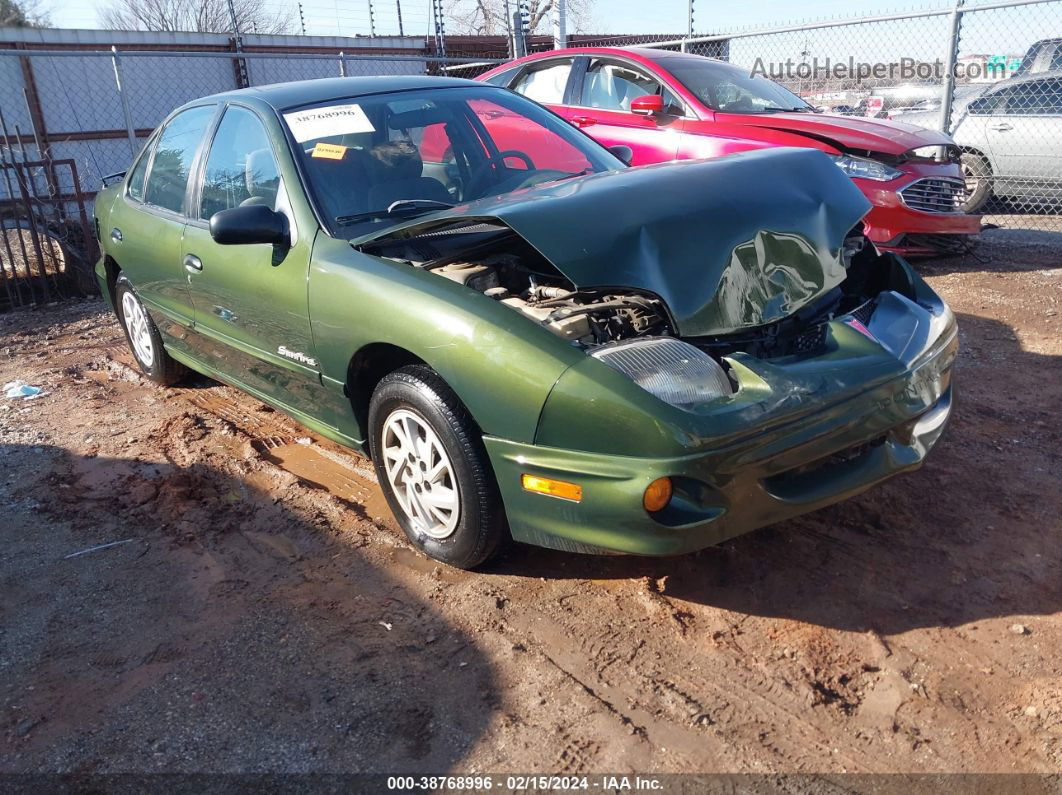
column 71, row 117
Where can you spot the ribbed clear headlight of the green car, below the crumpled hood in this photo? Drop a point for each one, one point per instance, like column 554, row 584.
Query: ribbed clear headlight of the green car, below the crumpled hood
column 674, row 371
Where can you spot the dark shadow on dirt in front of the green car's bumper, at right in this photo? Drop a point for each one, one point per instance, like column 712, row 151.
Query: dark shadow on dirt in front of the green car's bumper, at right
column 975, row 534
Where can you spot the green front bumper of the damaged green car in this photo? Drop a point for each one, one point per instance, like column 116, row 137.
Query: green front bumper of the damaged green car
column 790, row 465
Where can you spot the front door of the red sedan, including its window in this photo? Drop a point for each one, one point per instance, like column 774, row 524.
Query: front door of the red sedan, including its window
column 602, row 107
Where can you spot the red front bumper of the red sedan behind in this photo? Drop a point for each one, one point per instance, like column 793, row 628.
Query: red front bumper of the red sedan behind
column 897, row 229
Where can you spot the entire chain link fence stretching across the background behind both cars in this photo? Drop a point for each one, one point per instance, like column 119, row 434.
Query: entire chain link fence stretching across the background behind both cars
column 987, row 72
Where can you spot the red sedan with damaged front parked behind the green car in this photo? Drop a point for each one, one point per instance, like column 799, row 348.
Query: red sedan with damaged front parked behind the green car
column 672, row 107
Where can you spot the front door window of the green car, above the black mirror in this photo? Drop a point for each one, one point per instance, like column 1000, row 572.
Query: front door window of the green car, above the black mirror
column 241, row 169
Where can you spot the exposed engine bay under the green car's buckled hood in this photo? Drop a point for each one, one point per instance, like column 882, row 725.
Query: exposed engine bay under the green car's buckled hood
column 493, row 261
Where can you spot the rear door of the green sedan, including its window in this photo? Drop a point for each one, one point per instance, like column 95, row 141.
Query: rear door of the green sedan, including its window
column 148, row 223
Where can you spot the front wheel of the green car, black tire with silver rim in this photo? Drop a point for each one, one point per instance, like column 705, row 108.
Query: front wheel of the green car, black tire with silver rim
column 434, row 470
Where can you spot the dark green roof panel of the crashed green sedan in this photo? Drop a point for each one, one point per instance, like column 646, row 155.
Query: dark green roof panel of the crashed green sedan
column 283, row 96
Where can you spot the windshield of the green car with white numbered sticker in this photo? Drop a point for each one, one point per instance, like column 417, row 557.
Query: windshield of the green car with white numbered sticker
column 381, row 160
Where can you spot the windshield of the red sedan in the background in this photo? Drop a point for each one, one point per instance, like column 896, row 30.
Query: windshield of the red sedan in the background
column 730, row 90
